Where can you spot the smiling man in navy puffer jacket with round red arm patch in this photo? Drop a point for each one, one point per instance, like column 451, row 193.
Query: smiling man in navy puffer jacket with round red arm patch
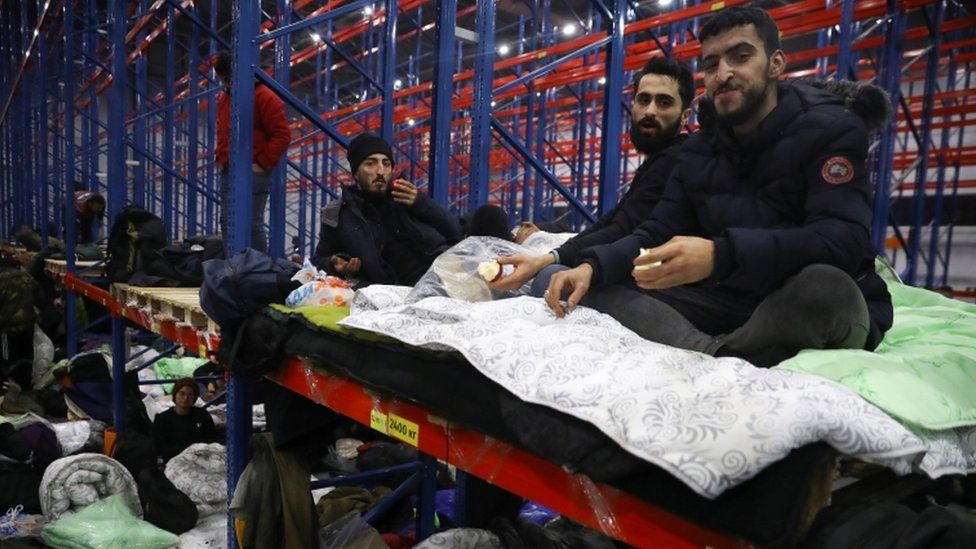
column 761, row 245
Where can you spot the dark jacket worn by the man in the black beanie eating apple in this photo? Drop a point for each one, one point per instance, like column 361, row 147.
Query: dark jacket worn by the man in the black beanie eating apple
column 352, row 226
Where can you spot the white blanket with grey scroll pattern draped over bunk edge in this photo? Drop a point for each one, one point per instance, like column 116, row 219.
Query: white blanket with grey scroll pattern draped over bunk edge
column 712, row 423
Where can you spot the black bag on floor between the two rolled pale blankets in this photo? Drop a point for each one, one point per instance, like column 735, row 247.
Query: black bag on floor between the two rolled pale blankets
column 163, row 504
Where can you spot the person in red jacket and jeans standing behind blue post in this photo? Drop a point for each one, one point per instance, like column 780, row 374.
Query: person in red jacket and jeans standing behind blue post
column 272, row 135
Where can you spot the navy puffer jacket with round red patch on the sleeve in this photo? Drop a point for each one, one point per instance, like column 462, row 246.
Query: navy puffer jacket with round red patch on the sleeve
column 793, row 194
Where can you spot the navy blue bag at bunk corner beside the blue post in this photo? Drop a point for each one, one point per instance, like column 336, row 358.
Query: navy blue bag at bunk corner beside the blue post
column 242, row 285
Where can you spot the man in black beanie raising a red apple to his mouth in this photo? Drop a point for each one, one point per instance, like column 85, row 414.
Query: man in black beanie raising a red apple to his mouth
column 381, row 229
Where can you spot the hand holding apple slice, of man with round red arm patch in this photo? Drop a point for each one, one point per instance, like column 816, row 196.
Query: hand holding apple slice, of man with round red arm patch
column 684, row 260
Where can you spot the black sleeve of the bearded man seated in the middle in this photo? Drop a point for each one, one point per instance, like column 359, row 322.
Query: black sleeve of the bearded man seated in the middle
column 633, row 209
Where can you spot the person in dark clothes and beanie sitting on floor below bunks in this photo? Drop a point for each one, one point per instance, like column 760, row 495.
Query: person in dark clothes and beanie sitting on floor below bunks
column 184, row 424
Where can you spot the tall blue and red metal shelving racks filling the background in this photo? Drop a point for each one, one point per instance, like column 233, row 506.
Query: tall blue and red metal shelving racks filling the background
column 539, row 130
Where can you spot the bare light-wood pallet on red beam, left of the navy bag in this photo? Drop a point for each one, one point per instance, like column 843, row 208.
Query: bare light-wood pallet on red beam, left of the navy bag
column 179, row 304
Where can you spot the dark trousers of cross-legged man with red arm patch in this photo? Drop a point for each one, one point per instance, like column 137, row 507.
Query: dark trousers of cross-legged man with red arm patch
column 819, row 308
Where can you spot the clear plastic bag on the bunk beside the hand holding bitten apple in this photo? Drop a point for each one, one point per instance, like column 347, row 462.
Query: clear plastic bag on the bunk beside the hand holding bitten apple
column 455, row 272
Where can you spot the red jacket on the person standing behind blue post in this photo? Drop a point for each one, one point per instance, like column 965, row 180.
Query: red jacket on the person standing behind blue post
column 272, row 133
